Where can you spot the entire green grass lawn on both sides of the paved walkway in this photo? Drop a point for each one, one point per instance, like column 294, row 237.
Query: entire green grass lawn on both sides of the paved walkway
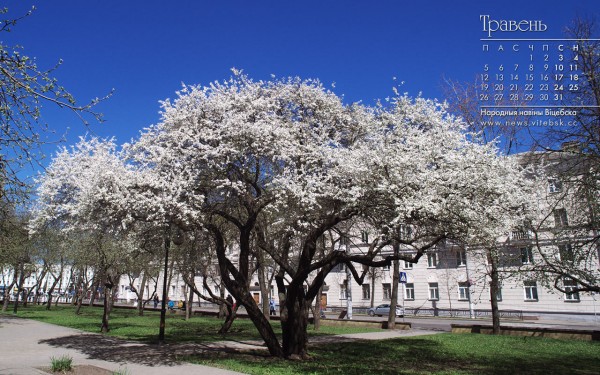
column 433, row 354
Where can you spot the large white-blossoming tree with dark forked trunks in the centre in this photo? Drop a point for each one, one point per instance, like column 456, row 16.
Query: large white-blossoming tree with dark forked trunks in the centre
column 275, row 165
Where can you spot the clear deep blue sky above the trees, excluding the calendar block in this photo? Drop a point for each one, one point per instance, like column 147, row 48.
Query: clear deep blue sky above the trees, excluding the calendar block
column 146, row 49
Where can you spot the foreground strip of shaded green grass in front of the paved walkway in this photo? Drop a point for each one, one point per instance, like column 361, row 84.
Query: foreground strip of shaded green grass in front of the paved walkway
column 434, row 354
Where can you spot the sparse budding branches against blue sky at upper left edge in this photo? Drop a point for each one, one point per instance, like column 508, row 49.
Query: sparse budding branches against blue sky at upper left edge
column 25, row 88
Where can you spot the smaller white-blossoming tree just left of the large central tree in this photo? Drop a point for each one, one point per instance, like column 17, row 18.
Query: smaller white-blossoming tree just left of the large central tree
column 75, row 192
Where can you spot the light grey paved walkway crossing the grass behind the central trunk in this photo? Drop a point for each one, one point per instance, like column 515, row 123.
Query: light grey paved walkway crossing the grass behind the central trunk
column 26, row 345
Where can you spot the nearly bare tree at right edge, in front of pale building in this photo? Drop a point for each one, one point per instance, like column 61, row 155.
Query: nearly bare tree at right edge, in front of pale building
column 571, row 160
